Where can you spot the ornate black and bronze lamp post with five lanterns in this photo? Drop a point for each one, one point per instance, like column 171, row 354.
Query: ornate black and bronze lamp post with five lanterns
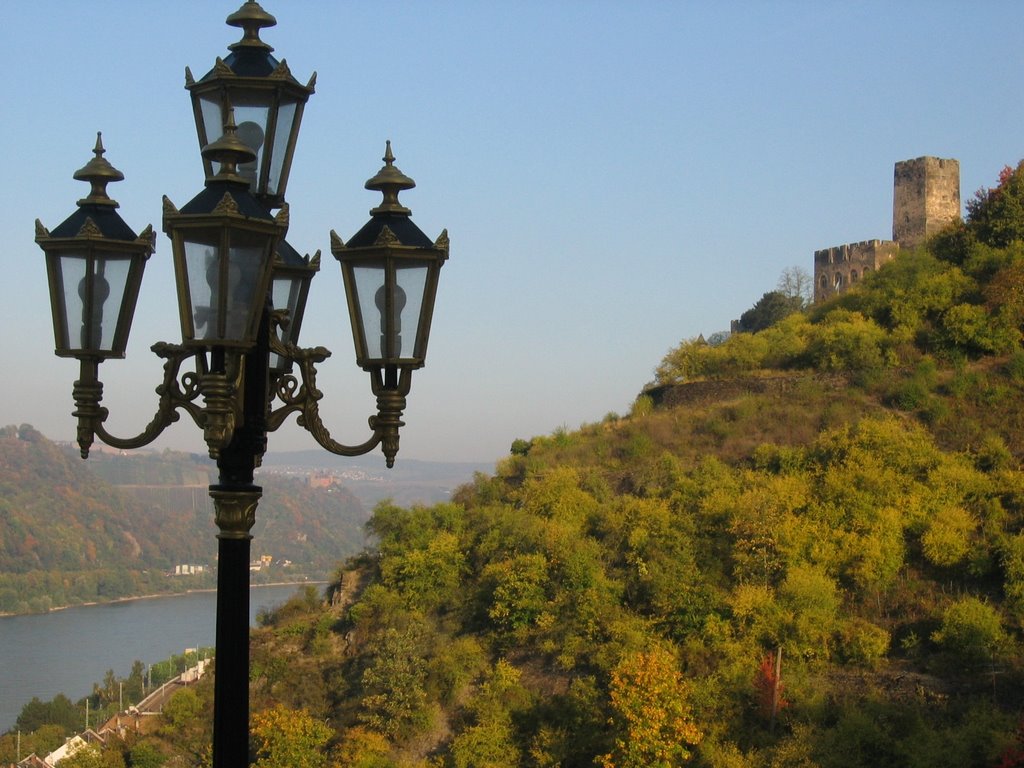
column 239, row 372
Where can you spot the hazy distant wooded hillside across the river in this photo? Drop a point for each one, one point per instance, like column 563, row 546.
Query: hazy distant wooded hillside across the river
column 74, row 532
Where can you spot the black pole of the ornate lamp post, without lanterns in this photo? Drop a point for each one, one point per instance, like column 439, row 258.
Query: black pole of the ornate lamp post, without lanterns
column 235, row 499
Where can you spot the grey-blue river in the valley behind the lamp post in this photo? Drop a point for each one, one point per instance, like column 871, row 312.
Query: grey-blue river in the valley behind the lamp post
column 66, row 652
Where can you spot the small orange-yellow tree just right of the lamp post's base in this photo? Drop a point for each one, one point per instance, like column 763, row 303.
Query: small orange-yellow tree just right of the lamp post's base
column 289, row 739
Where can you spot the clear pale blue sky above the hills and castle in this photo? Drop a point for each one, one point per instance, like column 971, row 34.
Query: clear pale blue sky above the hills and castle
column 616, row 177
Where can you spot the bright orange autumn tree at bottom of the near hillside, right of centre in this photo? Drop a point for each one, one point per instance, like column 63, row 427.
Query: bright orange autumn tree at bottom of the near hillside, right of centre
column 651, row 714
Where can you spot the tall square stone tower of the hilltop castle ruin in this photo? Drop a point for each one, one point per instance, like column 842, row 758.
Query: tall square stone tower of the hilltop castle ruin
column 926, row 198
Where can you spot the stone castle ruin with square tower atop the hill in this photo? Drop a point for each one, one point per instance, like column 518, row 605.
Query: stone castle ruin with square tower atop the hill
column 926, row 198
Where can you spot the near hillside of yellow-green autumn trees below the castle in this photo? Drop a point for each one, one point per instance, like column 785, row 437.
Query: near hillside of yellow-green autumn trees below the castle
column 818, row 562
